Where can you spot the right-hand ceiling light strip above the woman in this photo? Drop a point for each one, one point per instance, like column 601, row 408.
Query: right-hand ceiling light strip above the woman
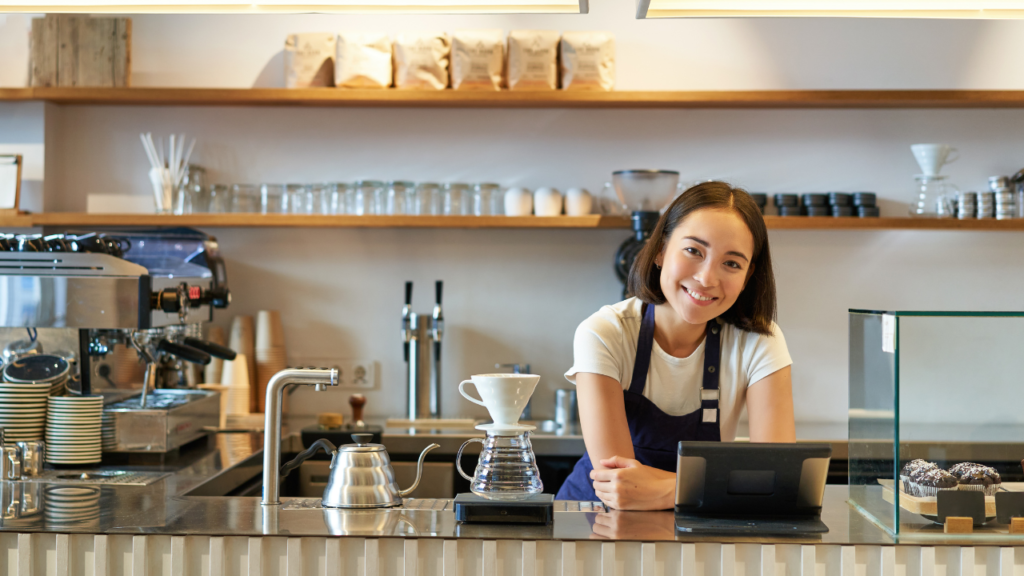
column 985, row 10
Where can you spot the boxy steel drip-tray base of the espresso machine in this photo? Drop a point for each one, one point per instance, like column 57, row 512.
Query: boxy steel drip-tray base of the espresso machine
column 170, row 420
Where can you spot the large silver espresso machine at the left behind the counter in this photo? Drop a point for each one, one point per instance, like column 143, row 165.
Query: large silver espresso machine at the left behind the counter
column 150, row 291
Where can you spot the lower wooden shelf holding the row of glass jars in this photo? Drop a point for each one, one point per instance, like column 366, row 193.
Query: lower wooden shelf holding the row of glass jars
column 592, row 222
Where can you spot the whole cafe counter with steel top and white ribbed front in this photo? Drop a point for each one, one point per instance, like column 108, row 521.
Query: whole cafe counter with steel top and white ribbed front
column 153, row 521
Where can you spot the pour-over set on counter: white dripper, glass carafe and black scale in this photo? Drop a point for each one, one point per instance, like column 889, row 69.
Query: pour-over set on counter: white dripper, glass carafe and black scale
column 506, row 485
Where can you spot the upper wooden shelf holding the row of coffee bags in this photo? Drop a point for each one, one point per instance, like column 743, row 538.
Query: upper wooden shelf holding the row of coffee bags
column 558, row 99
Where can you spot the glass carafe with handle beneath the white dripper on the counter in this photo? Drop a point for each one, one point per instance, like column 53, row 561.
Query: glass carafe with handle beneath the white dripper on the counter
column 507, row 469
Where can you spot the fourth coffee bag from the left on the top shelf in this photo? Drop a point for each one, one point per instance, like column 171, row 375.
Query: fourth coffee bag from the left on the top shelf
column 478, row 60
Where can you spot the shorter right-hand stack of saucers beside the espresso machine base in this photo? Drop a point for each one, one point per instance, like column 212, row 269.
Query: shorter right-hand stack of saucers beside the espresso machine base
column 73, row 430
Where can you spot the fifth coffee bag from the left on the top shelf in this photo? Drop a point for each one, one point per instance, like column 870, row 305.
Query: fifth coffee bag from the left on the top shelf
column 533, row 60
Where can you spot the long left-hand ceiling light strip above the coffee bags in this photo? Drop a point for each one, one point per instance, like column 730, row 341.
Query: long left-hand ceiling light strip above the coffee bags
column 300, row 7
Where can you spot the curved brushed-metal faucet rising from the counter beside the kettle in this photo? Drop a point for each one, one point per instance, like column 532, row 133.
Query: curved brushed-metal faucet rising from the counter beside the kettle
column 318, row 378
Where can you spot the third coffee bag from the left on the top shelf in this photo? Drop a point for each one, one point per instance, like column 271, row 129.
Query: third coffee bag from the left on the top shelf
column 421, row 61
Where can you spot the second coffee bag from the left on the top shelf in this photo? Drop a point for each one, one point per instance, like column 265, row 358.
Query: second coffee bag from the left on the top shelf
column 363, row 61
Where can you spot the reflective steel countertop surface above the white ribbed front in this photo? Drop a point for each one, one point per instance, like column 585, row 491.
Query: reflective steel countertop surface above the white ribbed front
column 166, row 507
